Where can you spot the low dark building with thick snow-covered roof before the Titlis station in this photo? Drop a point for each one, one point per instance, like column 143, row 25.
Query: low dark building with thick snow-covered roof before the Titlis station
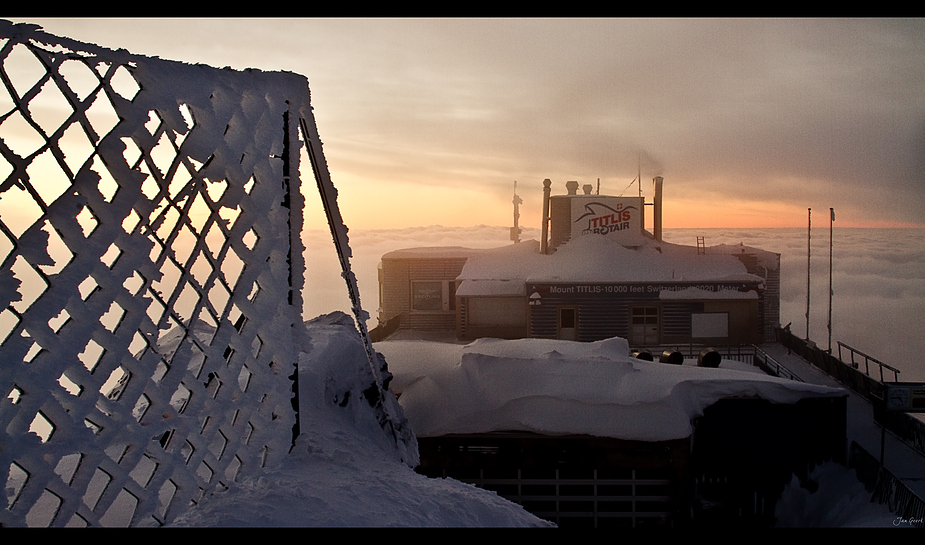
column 552, row 415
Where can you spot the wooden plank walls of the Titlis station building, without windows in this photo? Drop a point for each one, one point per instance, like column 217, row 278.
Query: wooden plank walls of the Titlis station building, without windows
column 599, row 316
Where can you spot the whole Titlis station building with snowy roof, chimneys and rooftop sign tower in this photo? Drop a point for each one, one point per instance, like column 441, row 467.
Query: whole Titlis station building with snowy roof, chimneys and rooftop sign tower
column 596, row 274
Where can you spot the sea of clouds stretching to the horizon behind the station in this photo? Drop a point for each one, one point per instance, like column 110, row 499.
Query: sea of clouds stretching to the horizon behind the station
column 878, row 281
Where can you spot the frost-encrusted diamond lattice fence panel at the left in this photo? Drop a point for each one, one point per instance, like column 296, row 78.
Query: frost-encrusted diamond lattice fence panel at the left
column 150, row 278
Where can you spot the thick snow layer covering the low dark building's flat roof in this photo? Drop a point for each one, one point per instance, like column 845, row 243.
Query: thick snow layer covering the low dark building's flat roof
column 564, row 387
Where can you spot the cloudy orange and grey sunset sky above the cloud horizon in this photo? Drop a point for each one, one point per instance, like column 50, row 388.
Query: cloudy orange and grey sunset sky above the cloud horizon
column 430, row 121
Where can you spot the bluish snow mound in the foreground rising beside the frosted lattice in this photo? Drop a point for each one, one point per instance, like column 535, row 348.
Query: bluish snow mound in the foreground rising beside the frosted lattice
column 350, row 465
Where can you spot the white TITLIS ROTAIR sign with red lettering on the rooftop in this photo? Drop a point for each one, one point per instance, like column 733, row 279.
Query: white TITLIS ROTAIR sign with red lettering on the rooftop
column 619, row 218
